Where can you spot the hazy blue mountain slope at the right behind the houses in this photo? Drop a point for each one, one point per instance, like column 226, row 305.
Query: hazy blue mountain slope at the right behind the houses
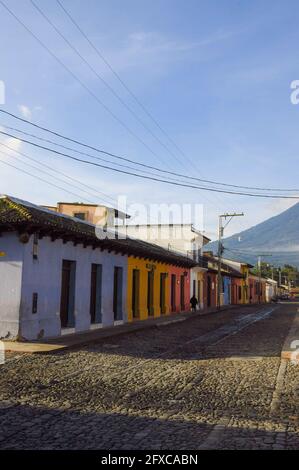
column 278, row 235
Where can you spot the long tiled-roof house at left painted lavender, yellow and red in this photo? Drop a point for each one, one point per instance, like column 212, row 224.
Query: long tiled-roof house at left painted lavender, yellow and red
column 61, row 275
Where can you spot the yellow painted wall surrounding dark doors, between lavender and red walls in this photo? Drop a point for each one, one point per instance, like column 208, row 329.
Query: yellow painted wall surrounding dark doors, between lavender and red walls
column 144, row 267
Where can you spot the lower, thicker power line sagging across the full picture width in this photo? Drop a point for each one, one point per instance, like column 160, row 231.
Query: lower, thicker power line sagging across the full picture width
column 185, row 185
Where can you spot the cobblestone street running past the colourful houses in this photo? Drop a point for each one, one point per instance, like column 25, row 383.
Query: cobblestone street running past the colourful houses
column 211, row 382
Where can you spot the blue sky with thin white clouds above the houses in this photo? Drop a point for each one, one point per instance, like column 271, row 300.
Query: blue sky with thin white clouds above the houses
column 215, row 74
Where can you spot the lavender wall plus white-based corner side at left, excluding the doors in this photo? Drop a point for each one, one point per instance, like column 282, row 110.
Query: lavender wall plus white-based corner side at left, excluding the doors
column 21, row 276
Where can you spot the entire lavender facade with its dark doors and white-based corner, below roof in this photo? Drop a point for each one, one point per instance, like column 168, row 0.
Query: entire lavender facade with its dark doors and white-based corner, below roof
column 58, row 288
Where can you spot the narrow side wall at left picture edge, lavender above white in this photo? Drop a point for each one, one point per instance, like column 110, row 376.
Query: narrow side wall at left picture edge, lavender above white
column 10, row 284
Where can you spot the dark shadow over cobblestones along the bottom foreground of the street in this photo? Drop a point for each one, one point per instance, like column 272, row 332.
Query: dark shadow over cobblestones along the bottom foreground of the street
column 26, row 427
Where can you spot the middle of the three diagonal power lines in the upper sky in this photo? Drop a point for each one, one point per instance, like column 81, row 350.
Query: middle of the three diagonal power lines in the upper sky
column 110, row 88
